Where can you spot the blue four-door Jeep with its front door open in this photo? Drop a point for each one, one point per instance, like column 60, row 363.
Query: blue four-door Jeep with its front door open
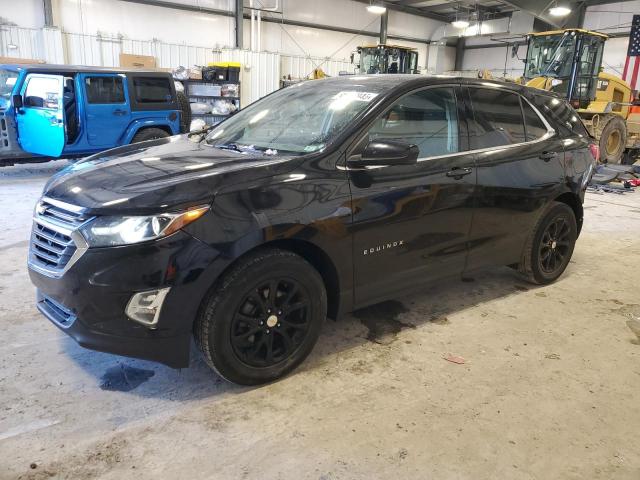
column 52, row 111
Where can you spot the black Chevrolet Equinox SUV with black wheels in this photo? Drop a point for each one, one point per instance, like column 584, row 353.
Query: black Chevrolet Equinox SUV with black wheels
column 318, row 199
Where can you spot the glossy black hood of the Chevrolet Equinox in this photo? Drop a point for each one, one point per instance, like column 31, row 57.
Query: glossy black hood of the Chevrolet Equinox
column 158, row 175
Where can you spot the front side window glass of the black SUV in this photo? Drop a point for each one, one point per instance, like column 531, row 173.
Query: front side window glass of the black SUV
column 427, row 118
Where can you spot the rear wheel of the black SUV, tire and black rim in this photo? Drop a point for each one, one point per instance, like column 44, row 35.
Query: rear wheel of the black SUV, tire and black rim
column 550, row 245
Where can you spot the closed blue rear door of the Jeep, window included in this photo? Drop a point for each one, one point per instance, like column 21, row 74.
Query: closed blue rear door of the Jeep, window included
column 108, row 112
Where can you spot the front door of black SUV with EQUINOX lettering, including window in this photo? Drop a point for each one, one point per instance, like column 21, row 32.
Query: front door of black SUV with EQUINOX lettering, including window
column 411, row 222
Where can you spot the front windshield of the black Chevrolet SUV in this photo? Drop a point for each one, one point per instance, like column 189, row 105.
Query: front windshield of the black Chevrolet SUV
column 299, row 119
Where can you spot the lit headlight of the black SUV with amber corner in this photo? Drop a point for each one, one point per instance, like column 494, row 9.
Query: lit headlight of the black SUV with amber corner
column 112, row 231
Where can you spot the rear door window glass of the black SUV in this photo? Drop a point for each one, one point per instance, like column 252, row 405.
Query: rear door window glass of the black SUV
column 497, row 118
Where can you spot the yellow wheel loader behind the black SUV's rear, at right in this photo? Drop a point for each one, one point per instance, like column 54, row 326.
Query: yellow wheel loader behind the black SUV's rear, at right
column 569, row 62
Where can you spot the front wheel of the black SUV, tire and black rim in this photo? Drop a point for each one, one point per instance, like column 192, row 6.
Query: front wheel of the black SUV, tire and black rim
column 263, row 317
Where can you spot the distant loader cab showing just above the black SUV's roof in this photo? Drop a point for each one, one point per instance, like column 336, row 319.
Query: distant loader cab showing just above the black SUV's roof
column 387, row 59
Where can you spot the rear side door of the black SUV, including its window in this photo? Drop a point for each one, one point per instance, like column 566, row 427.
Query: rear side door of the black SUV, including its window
column 520, row 165
